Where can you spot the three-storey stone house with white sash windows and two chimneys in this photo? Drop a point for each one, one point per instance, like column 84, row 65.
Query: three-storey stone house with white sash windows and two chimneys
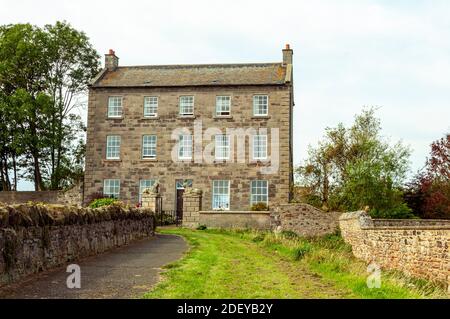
column 225, row 129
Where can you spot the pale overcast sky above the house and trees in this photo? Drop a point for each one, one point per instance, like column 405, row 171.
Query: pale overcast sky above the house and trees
column 347, row 53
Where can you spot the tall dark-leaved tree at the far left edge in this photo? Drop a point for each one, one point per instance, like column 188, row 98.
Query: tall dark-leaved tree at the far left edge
column 23, row 66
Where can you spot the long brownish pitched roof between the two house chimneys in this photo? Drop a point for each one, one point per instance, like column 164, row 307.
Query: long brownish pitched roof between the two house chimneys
column 194, row 75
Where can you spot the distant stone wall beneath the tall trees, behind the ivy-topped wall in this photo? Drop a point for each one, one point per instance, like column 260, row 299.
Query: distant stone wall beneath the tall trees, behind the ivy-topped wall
column 73, row 196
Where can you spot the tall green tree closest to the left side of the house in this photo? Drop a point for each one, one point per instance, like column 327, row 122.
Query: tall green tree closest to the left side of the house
column 73, row 63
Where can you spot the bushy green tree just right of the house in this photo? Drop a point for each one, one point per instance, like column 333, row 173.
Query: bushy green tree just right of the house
column 354, row 167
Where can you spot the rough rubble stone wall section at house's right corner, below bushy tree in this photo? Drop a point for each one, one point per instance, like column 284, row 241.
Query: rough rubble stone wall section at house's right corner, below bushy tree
column 305, row 220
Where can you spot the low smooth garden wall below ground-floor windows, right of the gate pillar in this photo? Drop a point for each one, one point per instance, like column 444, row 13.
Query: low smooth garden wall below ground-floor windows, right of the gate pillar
column 236, row 220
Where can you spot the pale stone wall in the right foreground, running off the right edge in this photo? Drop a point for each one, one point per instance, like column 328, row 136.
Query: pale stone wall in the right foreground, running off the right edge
column 418, row 248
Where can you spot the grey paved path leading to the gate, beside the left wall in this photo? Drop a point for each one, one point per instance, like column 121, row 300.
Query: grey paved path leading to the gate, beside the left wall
column 125, row 272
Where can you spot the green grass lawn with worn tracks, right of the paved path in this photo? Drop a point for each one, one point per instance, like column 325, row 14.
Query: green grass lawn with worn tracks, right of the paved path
column 246, row 264
